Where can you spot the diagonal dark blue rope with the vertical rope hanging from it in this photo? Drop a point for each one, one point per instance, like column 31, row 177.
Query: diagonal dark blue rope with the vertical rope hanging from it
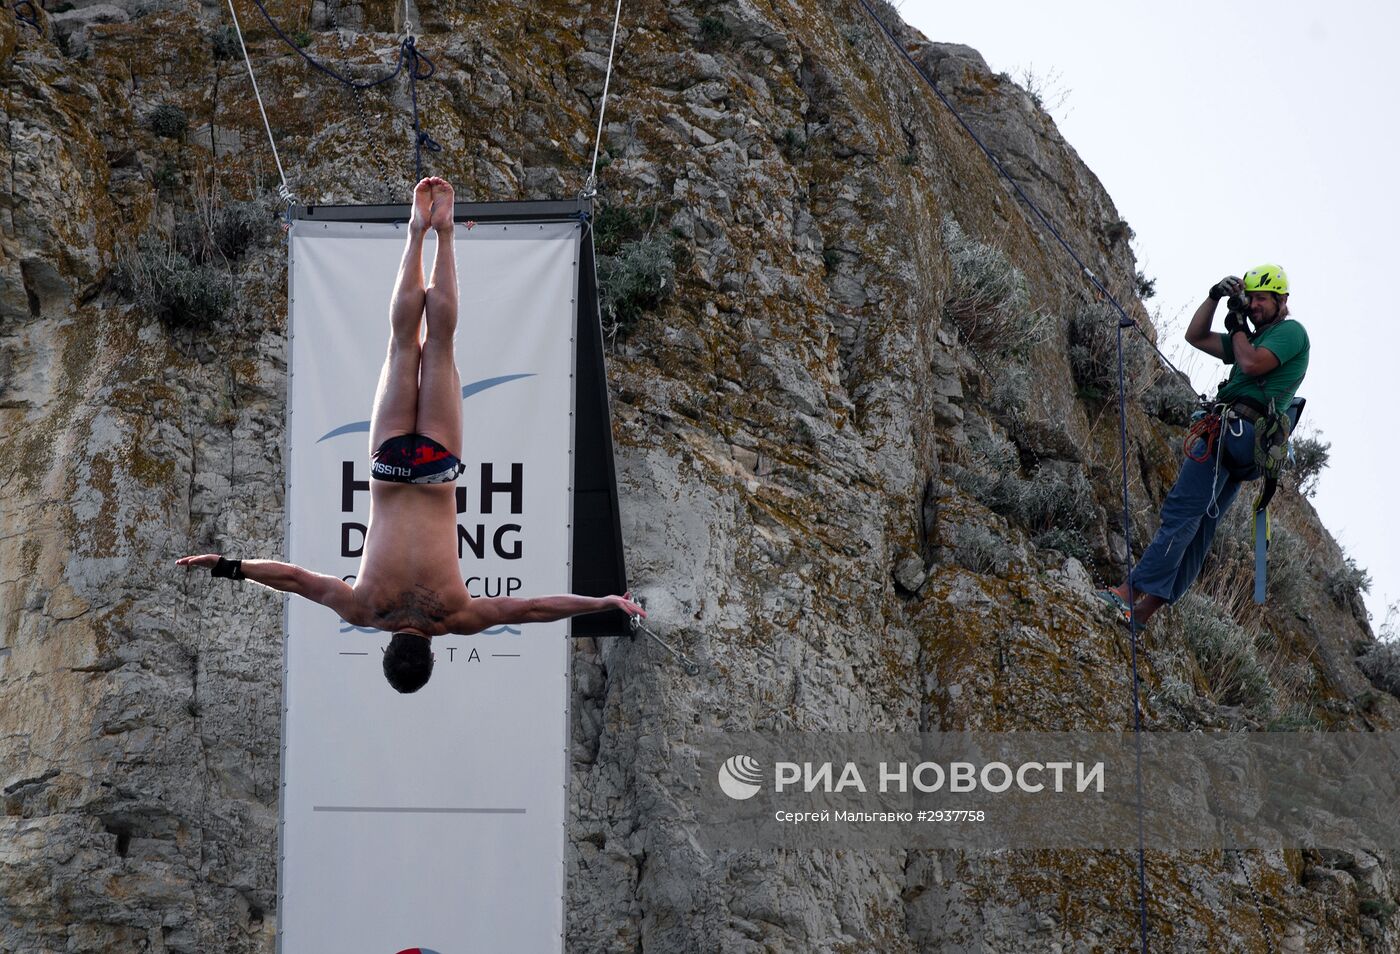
column 1125, row 322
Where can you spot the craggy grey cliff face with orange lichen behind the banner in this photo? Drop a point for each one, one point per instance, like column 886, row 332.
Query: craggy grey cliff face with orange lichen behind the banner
column 869, row 462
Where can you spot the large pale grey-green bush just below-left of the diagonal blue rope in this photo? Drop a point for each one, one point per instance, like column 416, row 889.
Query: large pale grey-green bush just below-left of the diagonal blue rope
column 989, row 302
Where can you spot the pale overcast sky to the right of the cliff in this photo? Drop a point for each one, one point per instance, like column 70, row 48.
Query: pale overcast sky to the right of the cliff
column 1231, row 135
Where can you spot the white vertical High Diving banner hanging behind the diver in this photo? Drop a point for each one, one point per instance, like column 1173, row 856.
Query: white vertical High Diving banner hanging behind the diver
column 433, row 820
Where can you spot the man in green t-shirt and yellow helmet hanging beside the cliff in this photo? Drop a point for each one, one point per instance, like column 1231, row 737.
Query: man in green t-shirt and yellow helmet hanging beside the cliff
column 1269, row 365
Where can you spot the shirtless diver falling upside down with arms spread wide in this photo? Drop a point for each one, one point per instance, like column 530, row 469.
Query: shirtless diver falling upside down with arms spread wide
column 409, row 582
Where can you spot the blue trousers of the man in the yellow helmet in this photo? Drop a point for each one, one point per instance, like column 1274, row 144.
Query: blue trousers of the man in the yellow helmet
column 1193, row 511
